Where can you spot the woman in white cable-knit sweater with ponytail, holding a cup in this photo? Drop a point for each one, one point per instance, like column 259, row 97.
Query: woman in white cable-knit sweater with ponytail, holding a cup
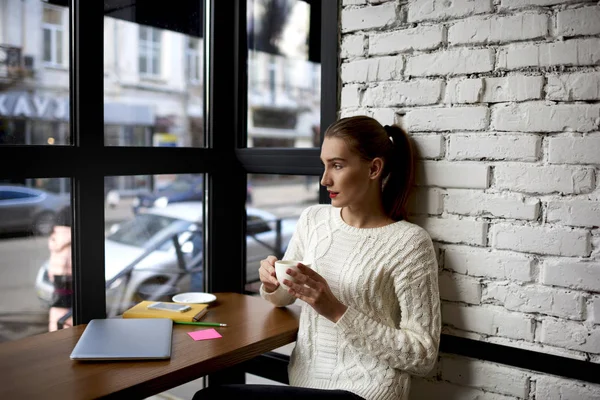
column 370, row 304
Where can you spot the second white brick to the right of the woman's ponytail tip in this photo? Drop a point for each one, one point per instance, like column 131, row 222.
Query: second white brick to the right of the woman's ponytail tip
column 502, row 205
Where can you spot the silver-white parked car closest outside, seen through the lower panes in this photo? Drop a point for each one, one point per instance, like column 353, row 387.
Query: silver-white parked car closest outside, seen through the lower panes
column 141, row 257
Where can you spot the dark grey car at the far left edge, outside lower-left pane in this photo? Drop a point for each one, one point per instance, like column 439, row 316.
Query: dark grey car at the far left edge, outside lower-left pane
column 28, row 210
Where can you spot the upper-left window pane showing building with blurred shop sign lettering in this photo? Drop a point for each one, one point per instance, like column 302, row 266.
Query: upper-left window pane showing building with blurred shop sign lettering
column 34, row 74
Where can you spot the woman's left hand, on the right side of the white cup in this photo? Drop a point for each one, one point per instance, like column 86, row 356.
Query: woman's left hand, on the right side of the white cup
column 313, row 289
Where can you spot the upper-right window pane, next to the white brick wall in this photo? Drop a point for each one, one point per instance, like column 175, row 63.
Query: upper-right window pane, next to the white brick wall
column 284, row 95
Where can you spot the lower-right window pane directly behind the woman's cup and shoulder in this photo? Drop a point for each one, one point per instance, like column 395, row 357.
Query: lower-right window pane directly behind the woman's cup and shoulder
column 274, row 203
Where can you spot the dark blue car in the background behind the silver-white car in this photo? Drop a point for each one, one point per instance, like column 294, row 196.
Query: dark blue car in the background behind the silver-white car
column 184, row 188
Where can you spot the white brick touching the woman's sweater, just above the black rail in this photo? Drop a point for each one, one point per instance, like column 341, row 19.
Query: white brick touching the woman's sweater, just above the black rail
column 489, row 320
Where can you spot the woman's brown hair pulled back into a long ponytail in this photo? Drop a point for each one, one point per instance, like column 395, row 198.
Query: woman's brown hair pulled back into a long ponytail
column 369, row 139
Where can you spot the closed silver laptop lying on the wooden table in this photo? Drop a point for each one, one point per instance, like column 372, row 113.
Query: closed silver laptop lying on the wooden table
column 125, row 339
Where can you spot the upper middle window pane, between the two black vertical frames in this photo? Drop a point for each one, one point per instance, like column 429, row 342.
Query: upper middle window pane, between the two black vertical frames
column 150, row 58
